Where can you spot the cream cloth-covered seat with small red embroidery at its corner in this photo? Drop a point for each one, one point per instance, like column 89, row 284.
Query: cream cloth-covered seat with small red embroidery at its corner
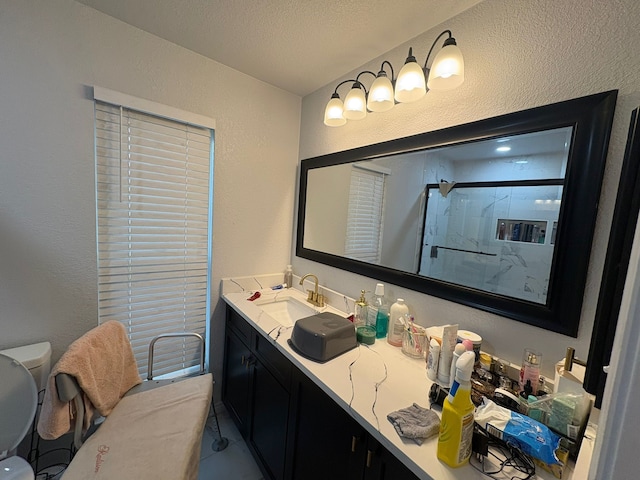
column 153, row 434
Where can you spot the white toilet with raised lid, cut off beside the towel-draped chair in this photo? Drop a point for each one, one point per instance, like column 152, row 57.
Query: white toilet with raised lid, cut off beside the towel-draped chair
column 24, row 371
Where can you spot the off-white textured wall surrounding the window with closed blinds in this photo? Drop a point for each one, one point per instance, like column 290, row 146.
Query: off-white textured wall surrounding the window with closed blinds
column 50, row 53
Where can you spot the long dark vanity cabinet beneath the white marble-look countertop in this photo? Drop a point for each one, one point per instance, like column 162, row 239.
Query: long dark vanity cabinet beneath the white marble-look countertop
column 293, row 428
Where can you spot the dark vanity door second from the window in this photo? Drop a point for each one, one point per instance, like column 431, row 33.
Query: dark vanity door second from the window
column 269, row 425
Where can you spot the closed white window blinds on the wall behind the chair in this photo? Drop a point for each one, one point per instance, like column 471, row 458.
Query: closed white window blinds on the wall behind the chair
column 153, row 178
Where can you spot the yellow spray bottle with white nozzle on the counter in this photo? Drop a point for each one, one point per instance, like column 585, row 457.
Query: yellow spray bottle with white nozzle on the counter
column 456, row 426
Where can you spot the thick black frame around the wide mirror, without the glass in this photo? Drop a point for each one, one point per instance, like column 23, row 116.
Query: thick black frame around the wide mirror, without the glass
column 591, row 118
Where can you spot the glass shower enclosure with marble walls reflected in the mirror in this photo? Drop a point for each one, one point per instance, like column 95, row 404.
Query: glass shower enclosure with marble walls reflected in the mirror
column 492, row 237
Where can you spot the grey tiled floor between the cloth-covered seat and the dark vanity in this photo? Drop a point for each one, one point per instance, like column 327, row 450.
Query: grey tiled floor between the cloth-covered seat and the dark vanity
column 234, row 462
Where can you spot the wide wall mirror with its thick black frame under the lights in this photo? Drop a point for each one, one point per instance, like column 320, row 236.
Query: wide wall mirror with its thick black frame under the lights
column 497, row 214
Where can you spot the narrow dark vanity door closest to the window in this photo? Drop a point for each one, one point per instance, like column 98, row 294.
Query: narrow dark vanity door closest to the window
column 236, row 381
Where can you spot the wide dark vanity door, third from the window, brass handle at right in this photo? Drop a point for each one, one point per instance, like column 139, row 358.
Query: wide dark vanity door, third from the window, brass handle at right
column 329, row 444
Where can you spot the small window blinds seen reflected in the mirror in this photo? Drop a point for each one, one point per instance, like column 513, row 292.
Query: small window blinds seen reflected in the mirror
column 364, row 217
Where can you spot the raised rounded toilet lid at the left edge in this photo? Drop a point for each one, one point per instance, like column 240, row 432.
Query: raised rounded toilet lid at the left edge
column 18, row 402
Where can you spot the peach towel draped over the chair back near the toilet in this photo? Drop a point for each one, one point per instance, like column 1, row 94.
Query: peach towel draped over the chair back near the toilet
column 103, row 364
